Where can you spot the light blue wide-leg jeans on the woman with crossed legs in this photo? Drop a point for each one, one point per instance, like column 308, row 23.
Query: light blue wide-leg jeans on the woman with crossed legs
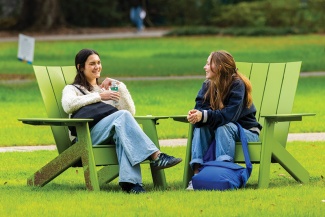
column 132, row 145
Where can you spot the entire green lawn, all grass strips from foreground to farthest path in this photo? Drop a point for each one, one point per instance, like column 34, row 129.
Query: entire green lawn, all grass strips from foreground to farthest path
column 66, row 195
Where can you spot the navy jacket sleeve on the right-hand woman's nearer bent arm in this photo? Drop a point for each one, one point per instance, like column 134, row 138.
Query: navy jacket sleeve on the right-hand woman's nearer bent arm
column 234, row 105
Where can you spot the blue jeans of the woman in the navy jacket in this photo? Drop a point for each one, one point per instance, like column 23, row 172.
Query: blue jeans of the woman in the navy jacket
column 226, row 137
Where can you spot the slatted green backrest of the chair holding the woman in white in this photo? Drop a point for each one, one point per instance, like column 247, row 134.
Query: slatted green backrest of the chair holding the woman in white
column 51, row 81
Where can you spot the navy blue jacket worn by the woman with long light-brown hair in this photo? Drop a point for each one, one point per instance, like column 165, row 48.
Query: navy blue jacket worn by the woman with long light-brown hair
column 235, row 109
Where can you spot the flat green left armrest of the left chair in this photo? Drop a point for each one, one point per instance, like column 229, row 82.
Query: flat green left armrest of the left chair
column 55, row 121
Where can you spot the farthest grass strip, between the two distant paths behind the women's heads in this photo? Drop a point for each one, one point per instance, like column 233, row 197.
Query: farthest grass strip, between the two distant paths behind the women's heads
column 170, row 55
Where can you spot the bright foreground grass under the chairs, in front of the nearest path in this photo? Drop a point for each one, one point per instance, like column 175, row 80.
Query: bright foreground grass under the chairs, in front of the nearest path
column 66, row 195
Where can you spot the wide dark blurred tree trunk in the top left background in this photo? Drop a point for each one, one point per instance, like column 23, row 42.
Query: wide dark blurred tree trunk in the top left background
column 40, row 15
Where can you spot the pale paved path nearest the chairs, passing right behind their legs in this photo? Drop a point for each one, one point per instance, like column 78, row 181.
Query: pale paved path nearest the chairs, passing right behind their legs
column 170, row 142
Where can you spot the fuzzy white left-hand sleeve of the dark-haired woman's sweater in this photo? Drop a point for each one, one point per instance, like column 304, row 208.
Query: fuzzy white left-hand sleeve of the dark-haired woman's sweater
column 73, row 99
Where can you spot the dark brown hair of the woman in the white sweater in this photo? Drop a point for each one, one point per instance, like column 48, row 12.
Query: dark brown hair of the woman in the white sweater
column 80, row 61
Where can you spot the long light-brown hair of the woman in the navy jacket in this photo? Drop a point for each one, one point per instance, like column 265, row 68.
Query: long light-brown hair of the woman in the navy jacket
column 227, row 72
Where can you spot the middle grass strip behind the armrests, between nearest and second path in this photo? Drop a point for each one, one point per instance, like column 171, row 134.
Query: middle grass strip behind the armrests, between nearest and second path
column 164, row 97
